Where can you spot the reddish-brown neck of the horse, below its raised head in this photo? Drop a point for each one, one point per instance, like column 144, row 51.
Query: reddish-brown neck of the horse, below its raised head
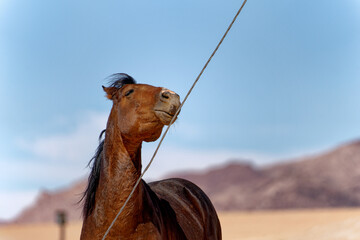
column 122, row 168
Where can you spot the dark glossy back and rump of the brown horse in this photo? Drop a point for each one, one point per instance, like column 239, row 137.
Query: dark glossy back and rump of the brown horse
column 193, row 209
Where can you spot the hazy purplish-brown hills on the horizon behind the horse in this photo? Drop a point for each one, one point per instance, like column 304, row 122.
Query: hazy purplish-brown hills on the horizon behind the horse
column 326, row 180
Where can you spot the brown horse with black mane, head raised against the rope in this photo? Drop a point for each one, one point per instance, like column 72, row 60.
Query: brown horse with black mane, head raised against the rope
column 167, row 209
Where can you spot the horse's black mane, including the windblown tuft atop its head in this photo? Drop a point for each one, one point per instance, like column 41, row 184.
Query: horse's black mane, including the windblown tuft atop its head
column 117, row 80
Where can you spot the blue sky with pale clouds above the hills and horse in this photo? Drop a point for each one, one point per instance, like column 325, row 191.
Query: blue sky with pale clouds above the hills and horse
column 285, row 82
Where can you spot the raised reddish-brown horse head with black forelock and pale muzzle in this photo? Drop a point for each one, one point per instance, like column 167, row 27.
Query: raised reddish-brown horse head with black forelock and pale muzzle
column 143, row 109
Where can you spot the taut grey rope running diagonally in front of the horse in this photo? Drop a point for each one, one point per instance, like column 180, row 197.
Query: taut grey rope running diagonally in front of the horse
column 173, row 119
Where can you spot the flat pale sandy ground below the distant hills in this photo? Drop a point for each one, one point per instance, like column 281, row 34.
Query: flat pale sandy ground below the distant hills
column 328, row 224
